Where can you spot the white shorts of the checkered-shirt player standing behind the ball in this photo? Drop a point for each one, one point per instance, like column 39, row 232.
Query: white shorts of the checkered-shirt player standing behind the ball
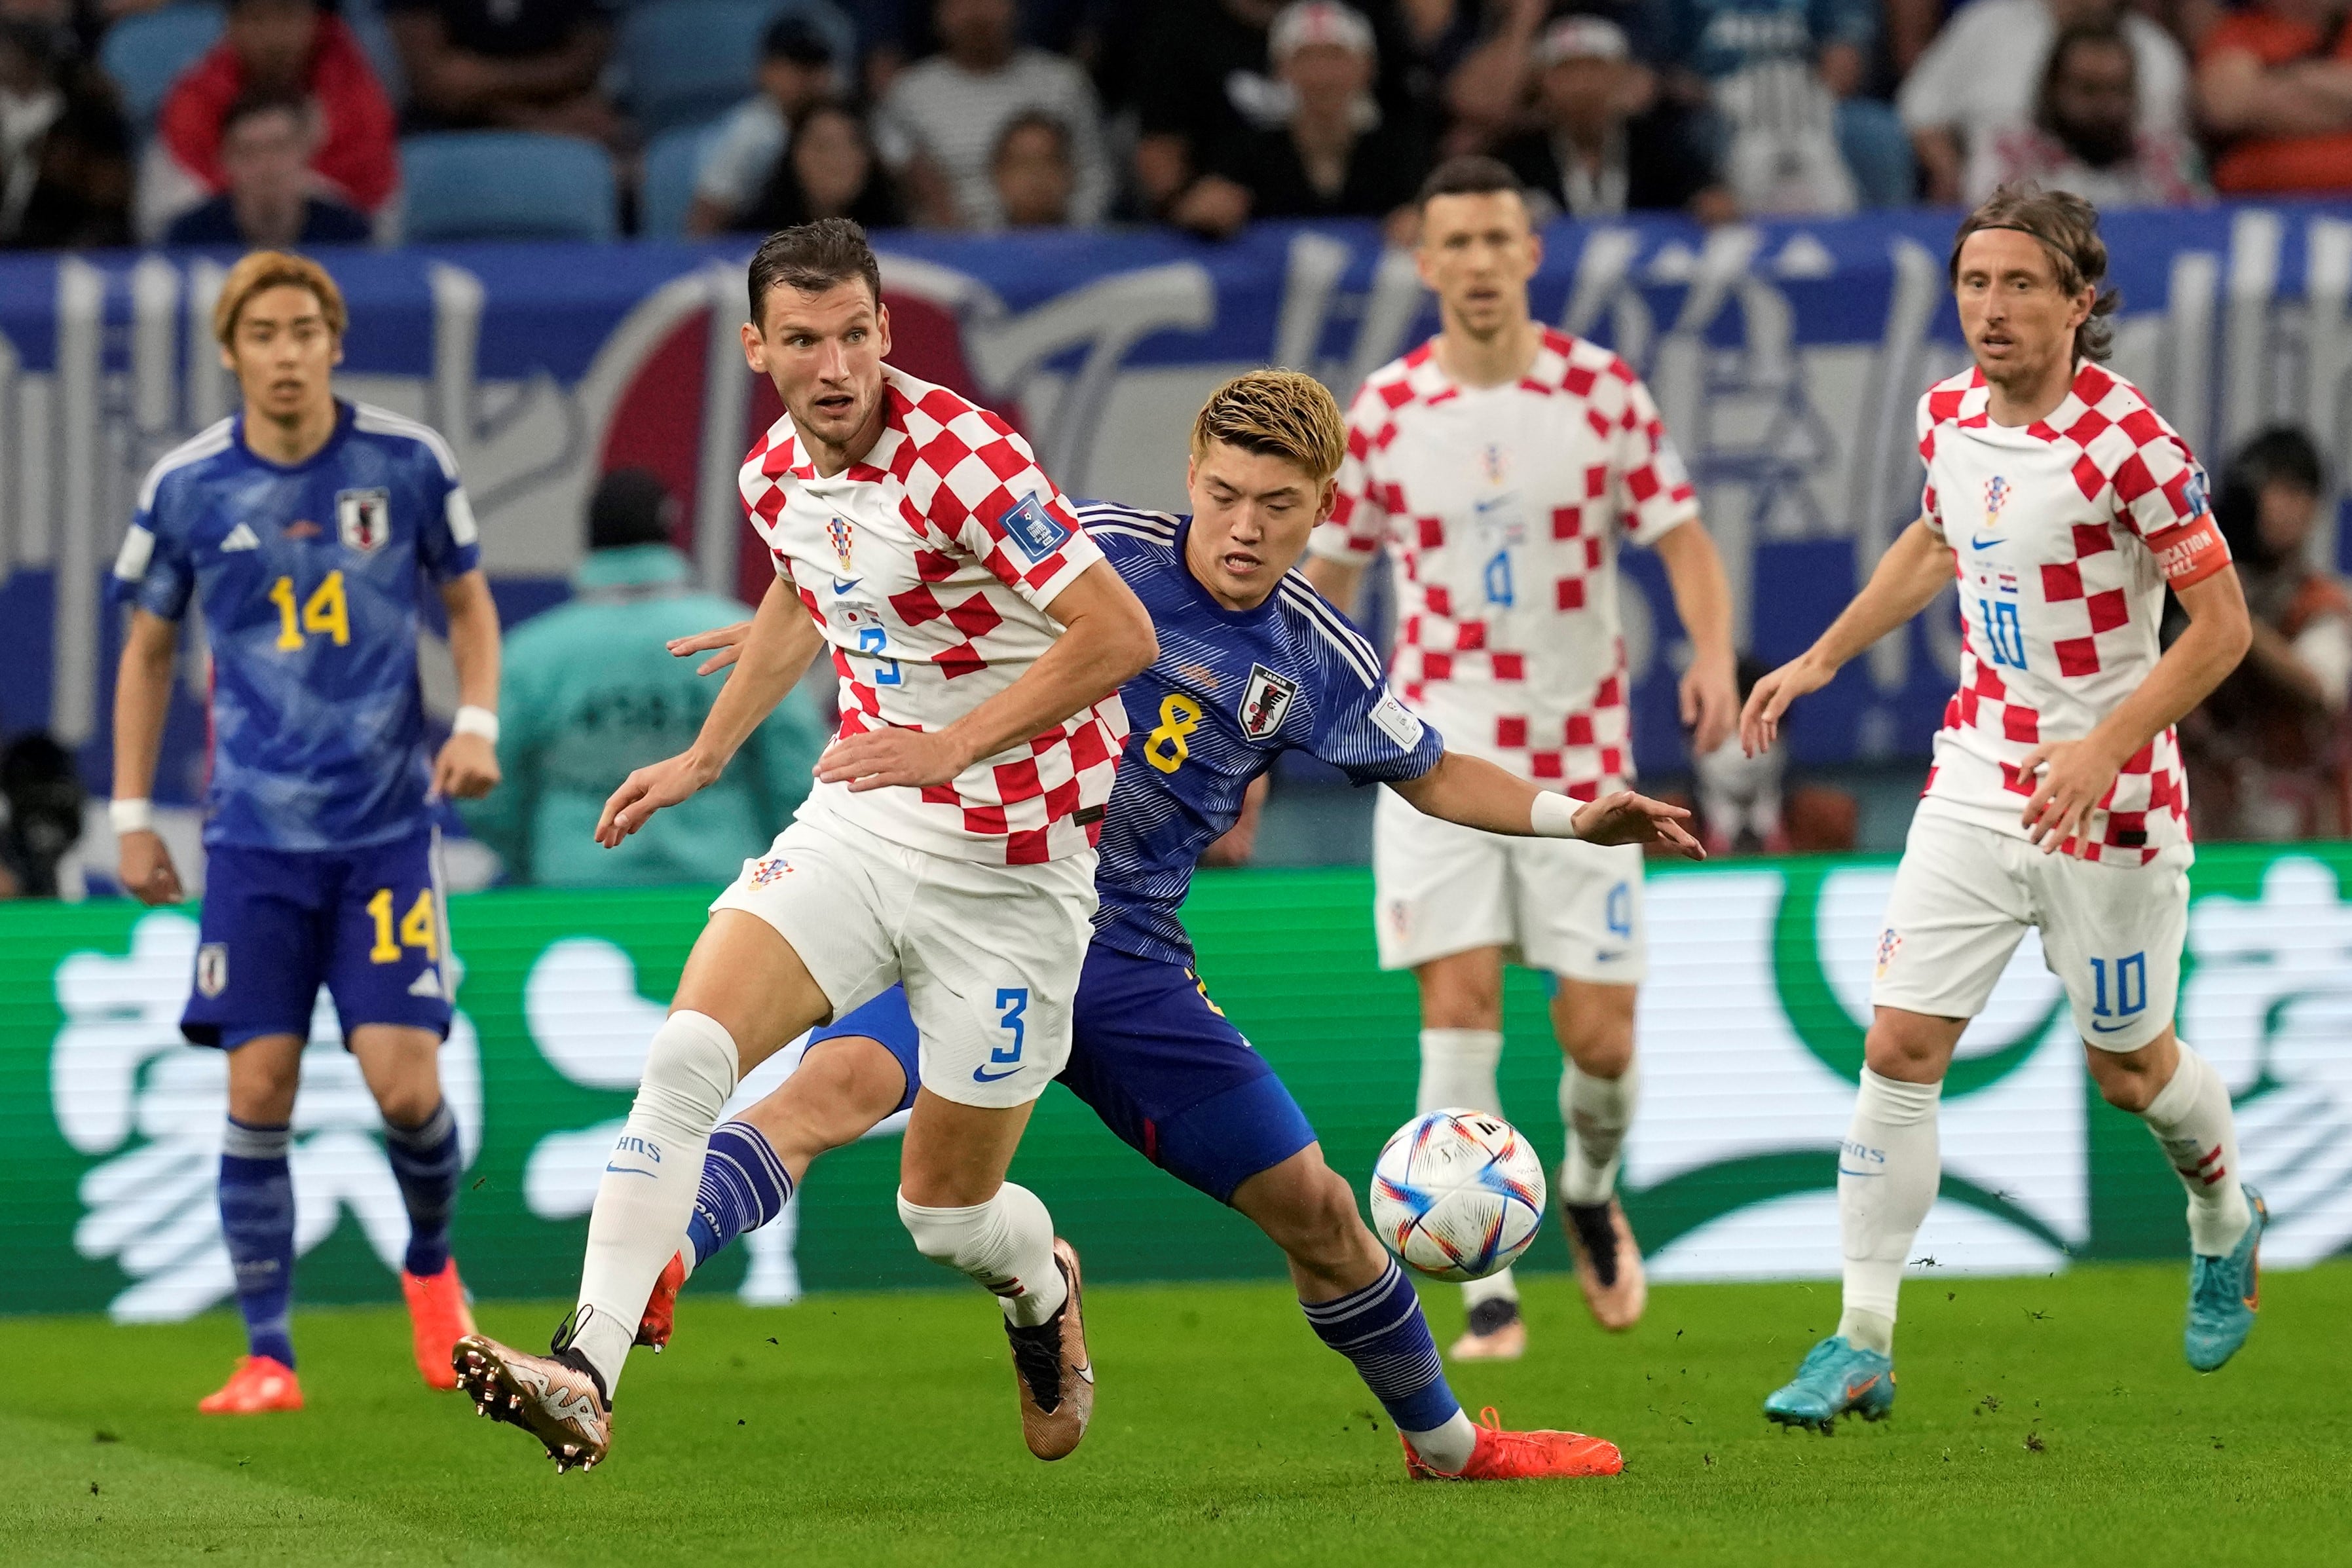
column 1551, row 904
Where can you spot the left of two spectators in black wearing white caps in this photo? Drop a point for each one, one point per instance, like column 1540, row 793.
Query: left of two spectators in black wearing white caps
column 1335, row 156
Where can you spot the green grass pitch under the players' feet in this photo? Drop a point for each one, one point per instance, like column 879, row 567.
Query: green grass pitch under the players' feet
column 2040, row 1421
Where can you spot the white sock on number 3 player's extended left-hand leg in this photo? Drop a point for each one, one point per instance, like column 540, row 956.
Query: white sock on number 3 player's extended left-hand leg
column 650, row 1184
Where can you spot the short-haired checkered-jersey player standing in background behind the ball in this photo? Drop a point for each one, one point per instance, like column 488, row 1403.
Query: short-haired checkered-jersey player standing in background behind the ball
column 1502, row 467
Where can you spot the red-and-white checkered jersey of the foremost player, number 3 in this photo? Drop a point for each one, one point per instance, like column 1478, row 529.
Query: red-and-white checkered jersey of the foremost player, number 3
column 928, row 568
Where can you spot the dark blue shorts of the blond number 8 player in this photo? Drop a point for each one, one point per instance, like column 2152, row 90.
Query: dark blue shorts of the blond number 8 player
column 1156, row 1061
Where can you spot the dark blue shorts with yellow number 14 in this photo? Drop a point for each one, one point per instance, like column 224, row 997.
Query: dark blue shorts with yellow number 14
column 368, row 925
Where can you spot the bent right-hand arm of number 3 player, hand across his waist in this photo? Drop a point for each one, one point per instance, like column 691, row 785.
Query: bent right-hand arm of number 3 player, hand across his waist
column 1107, row 641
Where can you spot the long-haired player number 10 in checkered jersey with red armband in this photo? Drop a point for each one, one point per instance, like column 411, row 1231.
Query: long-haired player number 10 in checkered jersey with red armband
column 2066, row 507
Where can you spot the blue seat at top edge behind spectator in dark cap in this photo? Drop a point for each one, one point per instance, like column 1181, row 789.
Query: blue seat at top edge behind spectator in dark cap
column 693, row 60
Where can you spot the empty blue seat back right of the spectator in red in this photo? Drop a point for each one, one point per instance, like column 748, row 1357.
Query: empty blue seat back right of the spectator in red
column 507, row 187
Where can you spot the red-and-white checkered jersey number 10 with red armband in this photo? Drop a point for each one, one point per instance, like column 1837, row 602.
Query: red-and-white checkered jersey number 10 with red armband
column 2064, row 537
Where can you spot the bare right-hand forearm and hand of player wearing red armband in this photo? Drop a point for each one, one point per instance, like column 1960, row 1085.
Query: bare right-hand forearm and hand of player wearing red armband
column 2076, row 775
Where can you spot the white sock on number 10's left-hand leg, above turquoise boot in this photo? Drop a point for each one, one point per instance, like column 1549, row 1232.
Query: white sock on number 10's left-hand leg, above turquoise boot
column 1887, row 1177
